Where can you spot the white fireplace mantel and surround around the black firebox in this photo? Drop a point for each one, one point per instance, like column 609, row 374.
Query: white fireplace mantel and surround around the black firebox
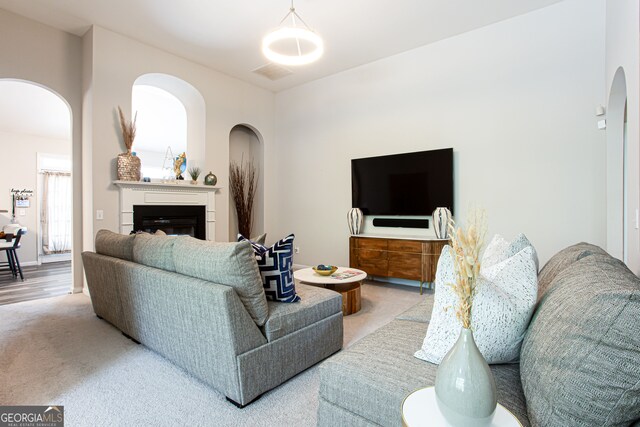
column 159, row 193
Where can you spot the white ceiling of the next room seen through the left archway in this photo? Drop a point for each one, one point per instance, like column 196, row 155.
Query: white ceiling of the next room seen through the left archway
column 26, row 108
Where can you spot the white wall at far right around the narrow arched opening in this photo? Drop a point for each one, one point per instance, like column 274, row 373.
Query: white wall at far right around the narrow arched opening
column 623, row 50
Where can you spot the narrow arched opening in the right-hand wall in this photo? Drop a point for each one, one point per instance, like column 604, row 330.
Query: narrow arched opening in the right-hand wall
column 617, row 169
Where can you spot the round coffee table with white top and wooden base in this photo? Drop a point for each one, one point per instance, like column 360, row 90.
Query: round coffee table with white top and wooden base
column 348, row 287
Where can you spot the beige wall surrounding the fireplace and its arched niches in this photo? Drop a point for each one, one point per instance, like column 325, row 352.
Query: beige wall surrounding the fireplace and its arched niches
column 115, row 64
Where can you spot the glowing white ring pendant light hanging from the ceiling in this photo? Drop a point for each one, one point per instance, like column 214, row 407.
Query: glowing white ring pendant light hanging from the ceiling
column 294, row 34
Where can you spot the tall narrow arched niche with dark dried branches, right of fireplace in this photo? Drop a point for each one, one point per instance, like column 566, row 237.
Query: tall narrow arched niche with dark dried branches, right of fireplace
column 246, row 144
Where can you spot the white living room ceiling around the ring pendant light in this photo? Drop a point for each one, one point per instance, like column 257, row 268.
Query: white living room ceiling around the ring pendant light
column 225, row 34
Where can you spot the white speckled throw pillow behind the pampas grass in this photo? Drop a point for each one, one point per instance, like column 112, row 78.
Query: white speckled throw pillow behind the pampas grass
column 501, row 310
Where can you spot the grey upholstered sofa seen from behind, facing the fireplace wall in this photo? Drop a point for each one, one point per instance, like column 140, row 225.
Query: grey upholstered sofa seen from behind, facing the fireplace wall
column 202, row 306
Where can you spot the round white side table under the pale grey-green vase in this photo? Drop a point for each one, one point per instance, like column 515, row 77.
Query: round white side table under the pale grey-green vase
column 420, row 409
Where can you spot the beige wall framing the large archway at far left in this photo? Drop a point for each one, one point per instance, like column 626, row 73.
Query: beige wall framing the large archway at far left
column 52, row 58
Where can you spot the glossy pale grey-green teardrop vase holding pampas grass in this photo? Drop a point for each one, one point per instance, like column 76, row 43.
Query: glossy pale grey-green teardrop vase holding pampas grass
column 465, row 388
